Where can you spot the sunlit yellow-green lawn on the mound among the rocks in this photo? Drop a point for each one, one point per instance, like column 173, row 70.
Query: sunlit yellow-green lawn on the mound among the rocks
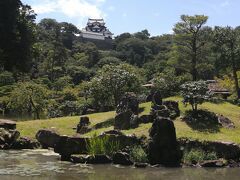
column 65, row 125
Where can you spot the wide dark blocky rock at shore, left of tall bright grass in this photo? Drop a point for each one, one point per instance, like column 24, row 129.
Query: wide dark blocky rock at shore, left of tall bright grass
column 67, row 146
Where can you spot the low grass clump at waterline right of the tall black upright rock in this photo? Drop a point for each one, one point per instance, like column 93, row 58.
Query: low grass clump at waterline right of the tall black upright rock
column 197, row 155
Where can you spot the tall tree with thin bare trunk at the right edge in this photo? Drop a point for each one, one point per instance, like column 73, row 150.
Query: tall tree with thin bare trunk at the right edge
column 227, row 40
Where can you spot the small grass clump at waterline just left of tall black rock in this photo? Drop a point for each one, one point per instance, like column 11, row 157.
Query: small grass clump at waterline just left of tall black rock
column 137, row 154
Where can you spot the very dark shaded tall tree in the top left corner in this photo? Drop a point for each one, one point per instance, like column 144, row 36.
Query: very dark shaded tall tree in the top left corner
column 17, row 28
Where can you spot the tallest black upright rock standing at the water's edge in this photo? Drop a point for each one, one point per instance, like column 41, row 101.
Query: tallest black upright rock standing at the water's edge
column 163, row 147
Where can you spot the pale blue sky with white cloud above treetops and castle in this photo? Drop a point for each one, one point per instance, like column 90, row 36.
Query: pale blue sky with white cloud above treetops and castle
column 158, row 16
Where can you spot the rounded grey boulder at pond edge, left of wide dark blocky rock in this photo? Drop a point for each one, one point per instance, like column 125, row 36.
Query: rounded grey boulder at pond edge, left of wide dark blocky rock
column 47, row 138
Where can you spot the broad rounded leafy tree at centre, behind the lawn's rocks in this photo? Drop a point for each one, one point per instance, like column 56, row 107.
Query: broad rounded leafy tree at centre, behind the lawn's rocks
column 111, row 82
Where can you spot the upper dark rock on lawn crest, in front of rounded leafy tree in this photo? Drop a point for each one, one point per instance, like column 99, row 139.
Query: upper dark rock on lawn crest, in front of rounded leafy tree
column 128, row 102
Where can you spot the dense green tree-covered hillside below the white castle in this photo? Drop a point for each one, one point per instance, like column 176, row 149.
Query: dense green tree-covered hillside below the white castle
column 45, row 71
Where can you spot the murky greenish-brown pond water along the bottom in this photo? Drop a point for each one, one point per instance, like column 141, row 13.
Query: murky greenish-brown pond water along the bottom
column 44, row 164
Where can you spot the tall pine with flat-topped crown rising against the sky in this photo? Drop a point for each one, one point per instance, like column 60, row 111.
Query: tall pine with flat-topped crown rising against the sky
column 190, row 39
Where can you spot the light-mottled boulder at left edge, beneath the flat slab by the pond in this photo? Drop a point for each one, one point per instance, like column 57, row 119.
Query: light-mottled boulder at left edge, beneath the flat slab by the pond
column 8, row 137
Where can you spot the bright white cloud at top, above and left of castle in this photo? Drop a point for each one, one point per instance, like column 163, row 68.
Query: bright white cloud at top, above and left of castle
column 71, row 8
